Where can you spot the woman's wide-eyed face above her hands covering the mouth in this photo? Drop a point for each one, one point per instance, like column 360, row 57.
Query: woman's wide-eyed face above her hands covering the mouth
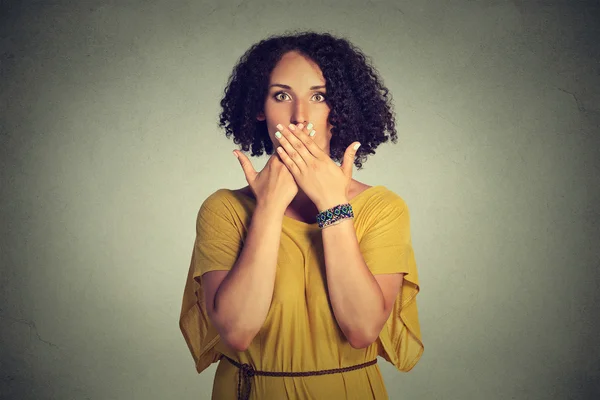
column 297, row 95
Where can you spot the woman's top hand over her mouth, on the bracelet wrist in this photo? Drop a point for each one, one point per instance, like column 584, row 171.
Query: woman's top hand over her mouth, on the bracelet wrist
column 323, row 181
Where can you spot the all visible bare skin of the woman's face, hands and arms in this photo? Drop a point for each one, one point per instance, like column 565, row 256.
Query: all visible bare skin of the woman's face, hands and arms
column 298, row 181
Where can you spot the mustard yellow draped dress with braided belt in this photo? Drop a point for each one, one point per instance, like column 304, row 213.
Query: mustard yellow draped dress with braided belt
column 300, row 332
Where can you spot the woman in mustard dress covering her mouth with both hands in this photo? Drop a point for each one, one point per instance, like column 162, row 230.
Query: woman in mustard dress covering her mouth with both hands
column 294, row 306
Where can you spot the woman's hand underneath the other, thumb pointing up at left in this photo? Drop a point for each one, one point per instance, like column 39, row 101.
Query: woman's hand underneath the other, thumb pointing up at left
column 274, row 185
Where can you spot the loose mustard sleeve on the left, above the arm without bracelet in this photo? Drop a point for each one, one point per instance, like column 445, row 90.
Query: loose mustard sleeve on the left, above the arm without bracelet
column 216, row 247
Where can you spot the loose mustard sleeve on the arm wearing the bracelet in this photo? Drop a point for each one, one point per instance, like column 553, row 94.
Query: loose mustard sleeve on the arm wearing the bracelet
column 387, row 248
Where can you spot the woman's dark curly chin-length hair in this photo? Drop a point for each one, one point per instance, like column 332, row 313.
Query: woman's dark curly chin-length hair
column 360, row 106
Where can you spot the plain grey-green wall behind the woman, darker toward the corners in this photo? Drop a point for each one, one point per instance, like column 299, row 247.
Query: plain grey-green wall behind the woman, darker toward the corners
column 109, row 144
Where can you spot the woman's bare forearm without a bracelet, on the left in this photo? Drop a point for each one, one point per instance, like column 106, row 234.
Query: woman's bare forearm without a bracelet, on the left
column 244, row 297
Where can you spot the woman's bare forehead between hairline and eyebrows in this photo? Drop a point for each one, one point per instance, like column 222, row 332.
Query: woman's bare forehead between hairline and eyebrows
column 296, row 70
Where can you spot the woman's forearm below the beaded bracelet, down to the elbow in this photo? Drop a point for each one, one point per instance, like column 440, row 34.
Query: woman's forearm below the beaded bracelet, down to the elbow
column 355, row 295
